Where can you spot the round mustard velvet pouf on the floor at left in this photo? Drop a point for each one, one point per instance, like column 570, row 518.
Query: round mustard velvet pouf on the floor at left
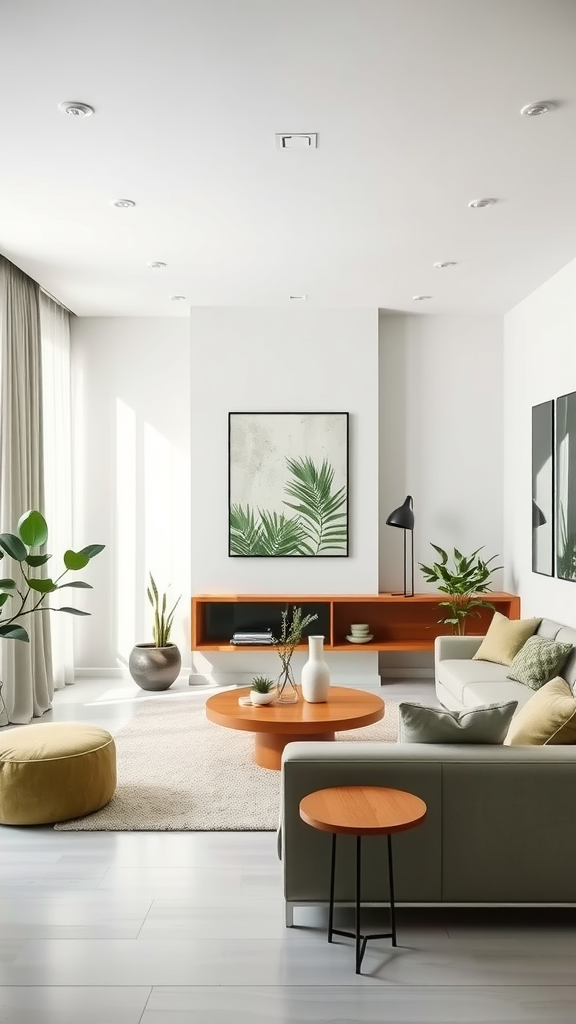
column 55, row 772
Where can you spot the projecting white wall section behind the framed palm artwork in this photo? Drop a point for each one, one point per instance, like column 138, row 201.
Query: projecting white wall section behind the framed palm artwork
column 293, row 360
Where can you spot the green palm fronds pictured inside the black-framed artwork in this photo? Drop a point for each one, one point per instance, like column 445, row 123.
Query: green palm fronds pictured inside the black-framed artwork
column 319, row 526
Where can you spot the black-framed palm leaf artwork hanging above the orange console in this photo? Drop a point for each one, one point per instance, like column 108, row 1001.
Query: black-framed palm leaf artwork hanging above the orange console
column 289, row 485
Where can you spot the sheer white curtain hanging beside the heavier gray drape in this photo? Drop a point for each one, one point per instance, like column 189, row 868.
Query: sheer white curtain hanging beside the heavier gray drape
column 55, row 325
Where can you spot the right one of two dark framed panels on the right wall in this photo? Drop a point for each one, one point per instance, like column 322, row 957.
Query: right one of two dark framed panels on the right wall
column 566, row 486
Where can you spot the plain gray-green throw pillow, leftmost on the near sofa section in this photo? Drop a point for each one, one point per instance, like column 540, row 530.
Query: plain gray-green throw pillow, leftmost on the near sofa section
column 485, row 724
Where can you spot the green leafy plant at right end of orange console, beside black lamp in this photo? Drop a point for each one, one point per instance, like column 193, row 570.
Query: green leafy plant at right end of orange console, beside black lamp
column 464, row 581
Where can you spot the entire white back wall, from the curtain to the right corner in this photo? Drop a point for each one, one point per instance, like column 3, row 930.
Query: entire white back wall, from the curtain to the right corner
column 425, row 398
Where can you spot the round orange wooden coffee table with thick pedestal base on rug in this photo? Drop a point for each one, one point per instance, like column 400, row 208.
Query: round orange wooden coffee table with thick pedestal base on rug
column 275, row 726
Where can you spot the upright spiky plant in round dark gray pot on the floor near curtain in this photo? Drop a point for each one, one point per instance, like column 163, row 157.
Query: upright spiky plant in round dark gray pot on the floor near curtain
column 155, row 666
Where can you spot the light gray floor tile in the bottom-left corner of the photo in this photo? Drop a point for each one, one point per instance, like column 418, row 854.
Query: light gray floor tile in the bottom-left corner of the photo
column 72, row 1005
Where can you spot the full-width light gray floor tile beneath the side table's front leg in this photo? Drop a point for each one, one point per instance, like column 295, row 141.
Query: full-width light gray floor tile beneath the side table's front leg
column 283, row 963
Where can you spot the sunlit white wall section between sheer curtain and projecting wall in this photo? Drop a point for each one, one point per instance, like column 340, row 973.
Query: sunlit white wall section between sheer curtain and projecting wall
column 132, row 444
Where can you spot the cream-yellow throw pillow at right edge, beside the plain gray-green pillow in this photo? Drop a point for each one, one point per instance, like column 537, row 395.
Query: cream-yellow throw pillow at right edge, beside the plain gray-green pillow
column 550, row 717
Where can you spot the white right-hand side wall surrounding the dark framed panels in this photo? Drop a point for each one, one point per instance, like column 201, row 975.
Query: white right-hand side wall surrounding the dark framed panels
column 540, row 364
